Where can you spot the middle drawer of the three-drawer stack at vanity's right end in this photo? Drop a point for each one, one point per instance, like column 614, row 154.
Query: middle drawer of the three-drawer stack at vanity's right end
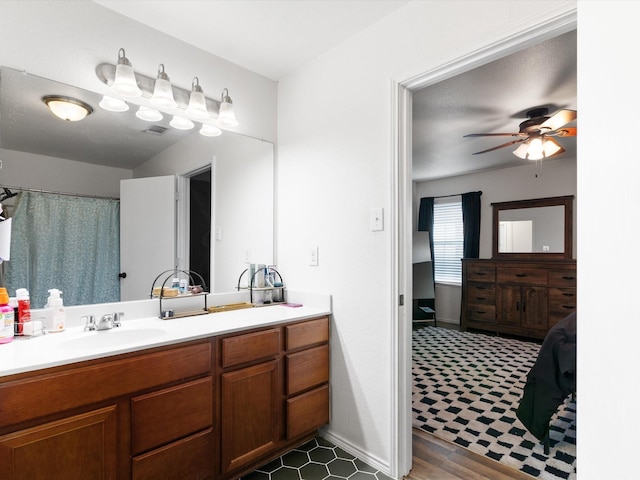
column 307, row 369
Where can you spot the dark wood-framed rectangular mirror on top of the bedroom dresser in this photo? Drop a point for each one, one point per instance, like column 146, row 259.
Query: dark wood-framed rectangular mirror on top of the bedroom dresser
column 531, row 228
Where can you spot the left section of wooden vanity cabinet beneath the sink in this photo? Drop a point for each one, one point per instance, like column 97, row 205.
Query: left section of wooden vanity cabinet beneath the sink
column 104, row 419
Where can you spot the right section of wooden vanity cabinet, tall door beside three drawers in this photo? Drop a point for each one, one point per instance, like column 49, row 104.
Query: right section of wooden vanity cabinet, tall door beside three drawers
column 274, row 392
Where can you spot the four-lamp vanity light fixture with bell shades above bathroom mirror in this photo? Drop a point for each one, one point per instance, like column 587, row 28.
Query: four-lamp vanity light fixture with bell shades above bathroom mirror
column 163, row 98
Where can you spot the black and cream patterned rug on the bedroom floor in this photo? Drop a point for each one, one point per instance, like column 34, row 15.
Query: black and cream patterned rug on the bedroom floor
column 466, row 389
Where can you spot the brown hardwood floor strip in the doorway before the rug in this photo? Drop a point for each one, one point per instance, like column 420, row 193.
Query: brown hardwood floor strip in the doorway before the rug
column 435, row 459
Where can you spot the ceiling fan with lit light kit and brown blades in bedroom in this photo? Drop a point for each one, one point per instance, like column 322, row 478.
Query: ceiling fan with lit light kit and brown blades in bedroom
column 536, row 134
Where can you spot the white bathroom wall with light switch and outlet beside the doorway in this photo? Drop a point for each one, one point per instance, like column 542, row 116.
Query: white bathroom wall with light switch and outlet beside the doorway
column 335, row 160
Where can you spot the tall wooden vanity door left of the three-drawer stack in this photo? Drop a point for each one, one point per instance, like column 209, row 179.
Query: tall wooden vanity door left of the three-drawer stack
column 250, row 414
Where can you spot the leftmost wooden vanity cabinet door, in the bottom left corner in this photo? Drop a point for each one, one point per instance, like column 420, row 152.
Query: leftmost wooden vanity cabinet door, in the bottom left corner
column 79, row 447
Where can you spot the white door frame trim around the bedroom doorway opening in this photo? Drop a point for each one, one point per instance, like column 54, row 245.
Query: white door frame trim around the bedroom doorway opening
column 402, row 211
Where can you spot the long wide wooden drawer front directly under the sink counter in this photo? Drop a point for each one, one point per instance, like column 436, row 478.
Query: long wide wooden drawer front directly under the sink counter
column 46, row 394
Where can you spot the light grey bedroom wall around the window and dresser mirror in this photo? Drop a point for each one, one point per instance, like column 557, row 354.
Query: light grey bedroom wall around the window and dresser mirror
column 551, row 178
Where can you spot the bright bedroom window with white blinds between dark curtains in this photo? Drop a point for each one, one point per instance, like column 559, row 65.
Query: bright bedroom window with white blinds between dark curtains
column 448, row 241
